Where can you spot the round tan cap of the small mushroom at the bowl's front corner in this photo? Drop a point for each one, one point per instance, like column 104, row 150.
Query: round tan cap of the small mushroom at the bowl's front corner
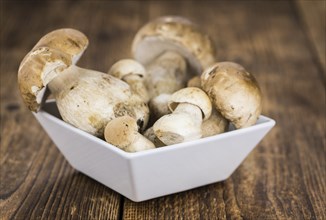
column 121, row 131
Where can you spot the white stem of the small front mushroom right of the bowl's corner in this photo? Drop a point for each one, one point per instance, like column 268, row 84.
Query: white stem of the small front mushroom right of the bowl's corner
column 184, row 124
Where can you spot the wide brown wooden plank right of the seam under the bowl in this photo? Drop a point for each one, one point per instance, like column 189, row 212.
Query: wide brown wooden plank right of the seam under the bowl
column 284, row 177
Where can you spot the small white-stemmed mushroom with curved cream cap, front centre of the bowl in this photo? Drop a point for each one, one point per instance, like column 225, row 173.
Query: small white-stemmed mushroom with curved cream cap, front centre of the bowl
column 189, row 106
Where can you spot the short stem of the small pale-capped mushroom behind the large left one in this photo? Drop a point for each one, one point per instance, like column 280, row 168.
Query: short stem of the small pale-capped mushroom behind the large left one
column 136, row 83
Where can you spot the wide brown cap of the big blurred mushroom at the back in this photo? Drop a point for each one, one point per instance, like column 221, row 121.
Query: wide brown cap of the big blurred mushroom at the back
column 172, row 33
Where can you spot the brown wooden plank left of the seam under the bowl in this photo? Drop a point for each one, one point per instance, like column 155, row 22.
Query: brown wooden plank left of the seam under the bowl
column 36, row 181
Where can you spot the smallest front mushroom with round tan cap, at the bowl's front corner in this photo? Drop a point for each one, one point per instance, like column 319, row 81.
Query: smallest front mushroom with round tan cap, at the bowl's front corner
column 123, row 133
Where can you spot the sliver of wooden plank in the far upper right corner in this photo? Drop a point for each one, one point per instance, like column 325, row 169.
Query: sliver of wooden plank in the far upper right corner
column 312, row 14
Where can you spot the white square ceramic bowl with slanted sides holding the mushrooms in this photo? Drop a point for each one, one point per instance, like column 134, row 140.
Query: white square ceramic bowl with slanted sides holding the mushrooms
column 157, row 172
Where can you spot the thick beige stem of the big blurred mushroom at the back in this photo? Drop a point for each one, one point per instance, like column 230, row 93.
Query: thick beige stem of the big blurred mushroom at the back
column 166, row 74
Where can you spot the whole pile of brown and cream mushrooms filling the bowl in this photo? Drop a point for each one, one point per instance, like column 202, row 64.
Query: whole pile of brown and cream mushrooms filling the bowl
column 171, row 91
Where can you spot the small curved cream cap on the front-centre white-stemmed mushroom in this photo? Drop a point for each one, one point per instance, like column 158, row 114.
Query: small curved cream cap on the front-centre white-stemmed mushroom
column 192, row 95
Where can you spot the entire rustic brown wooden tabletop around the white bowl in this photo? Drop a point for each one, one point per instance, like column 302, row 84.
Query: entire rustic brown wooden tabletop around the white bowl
column 281, row 42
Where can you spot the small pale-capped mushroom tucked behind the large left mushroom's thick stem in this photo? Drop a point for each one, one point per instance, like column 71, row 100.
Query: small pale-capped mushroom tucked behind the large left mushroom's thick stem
column 133, row 73
